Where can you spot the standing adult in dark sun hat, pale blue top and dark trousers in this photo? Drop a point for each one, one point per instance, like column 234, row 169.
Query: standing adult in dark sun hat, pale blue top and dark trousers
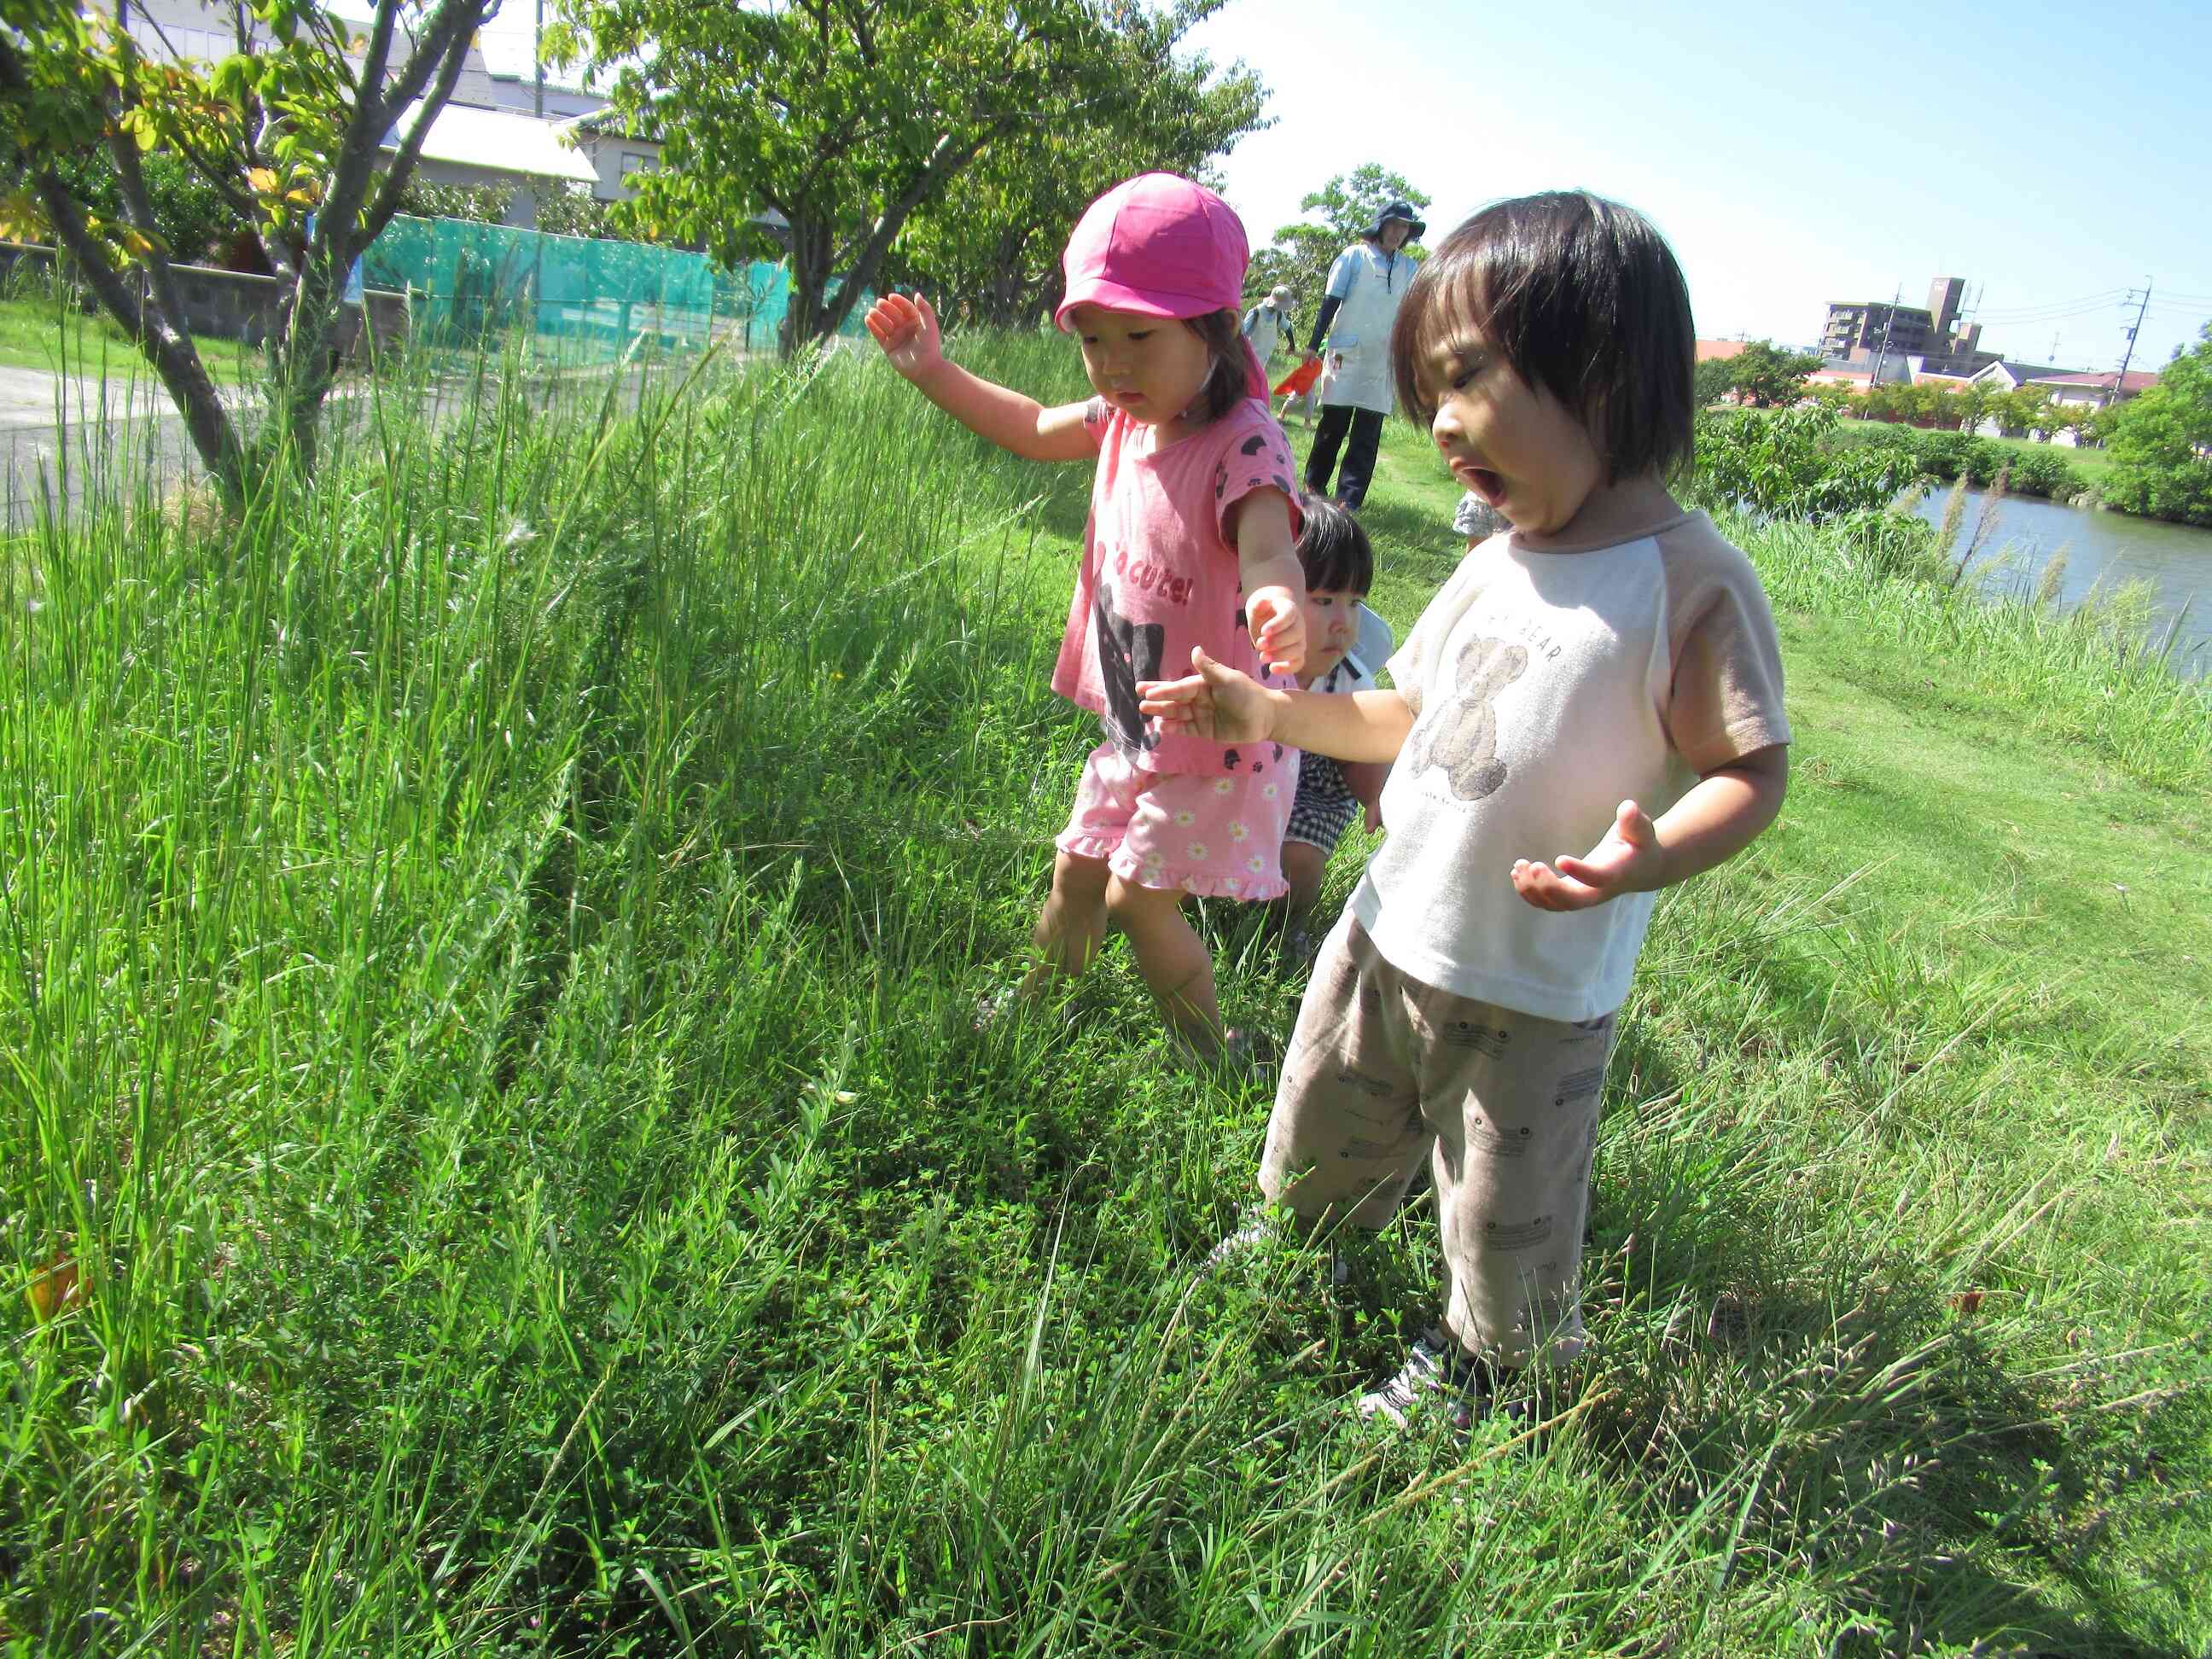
column 1366, row 286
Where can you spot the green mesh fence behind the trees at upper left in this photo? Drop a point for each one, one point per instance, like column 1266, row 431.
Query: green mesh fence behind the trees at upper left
column 472, row 284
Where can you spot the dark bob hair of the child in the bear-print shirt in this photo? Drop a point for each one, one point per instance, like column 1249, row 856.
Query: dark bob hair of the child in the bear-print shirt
column 1585, row 302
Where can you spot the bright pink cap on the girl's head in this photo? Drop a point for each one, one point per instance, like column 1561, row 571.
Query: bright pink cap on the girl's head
column 1158, row 247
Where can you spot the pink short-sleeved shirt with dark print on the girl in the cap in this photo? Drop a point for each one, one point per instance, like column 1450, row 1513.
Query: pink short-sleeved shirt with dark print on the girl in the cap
column 1160, row 574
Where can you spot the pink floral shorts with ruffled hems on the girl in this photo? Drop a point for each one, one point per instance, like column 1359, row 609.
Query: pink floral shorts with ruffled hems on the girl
column 1213, row 835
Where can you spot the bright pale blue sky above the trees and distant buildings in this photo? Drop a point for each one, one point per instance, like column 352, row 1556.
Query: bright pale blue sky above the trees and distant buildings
column 2049, row 156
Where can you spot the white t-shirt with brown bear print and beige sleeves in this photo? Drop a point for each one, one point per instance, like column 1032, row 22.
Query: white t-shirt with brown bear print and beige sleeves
column 1550, row 687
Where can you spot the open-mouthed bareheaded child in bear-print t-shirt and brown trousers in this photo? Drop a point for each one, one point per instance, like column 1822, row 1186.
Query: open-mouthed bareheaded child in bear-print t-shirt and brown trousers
column 1607, row 647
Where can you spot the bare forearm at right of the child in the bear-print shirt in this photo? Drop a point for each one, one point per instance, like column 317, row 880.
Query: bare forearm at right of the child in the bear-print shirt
column 1718, row 820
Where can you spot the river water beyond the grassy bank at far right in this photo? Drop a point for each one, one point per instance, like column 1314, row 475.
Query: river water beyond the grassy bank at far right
column 2103, row 552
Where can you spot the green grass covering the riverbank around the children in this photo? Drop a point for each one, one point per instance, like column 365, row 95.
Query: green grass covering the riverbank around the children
column 501, row 1158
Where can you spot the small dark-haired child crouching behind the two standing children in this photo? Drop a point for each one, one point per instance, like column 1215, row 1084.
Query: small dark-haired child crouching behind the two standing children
column 1344, row 647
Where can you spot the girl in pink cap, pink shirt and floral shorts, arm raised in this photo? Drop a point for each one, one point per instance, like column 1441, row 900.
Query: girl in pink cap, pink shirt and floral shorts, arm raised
column 1191, row 543
